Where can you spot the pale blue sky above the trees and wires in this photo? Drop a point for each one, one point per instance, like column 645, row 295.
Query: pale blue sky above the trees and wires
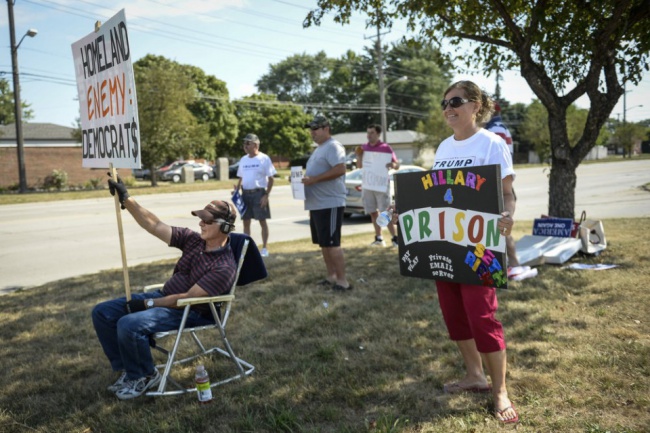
column 234, row 40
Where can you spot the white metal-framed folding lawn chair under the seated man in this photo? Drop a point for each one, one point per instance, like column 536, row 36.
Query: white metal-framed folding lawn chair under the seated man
column 246, row 257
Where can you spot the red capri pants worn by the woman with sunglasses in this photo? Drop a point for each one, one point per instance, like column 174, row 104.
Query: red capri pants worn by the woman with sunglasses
column 469, row 314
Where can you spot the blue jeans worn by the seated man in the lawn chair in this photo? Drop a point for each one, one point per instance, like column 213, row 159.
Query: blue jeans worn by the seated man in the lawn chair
column 125, row 337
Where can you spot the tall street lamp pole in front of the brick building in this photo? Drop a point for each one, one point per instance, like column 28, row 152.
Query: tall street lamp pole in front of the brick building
column 18, row 109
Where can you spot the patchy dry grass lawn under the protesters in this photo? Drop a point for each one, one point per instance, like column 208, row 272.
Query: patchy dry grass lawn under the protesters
column 370, row 360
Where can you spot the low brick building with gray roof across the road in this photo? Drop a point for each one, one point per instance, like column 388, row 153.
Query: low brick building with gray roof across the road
column 46, row 147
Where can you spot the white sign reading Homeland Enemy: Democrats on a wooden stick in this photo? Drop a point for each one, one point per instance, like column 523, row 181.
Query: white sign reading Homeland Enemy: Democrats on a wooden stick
column 109, row 109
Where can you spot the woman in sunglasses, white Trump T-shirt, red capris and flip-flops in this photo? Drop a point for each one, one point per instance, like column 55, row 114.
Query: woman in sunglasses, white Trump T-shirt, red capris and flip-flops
column 469, row 311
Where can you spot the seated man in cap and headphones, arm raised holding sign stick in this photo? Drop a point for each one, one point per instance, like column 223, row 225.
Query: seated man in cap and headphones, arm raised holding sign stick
column 207, row 267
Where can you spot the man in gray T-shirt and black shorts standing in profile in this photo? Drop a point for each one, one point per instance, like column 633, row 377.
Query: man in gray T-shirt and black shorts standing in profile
column 324, row 182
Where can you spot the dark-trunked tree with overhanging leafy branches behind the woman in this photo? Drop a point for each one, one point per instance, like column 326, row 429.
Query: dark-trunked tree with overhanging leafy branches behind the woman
column 564, row 50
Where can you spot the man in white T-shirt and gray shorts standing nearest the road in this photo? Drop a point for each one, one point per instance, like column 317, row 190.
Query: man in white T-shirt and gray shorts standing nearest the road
column 255, row 175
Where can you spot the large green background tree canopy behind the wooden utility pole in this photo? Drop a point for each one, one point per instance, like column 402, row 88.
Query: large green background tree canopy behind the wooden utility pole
column 346, row 89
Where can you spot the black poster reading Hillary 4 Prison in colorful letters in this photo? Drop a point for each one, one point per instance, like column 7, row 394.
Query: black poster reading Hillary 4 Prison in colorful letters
column 448, row 223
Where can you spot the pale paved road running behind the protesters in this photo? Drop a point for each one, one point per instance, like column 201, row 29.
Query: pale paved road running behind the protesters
column 43, row 242
